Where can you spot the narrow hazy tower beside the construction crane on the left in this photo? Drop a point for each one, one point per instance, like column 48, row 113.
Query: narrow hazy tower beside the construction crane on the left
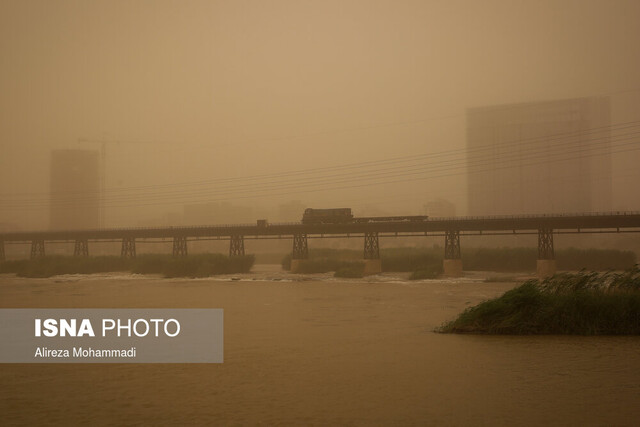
column 75, row 190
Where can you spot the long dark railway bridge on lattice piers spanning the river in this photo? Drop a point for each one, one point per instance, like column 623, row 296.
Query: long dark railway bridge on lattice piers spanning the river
column 545, row 226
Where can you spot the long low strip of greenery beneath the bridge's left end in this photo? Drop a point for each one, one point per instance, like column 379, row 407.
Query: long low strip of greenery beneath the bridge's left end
column 200, row 265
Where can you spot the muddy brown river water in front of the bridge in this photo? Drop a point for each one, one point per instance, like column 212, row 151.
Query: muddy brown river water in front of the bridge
column 321, row 351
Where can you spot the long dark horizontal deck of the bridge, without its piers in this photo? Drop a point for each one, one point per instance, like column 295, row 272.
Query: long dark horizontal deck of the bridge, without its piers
column 589, row 222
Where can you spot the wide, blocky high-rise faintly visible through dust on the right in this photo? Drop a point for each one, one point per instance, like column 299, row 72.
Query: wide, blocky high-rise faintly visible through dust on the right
column 539, row 157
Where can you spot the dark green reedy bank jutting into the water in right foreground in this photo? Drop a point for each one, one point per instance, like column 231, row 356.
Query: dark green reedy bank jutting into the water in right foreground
column 581, row 304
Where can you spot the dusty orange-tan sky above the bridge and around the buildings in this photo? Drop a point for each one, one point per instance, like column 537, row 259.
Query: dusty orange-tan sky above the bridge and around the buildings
column 203, row 92
